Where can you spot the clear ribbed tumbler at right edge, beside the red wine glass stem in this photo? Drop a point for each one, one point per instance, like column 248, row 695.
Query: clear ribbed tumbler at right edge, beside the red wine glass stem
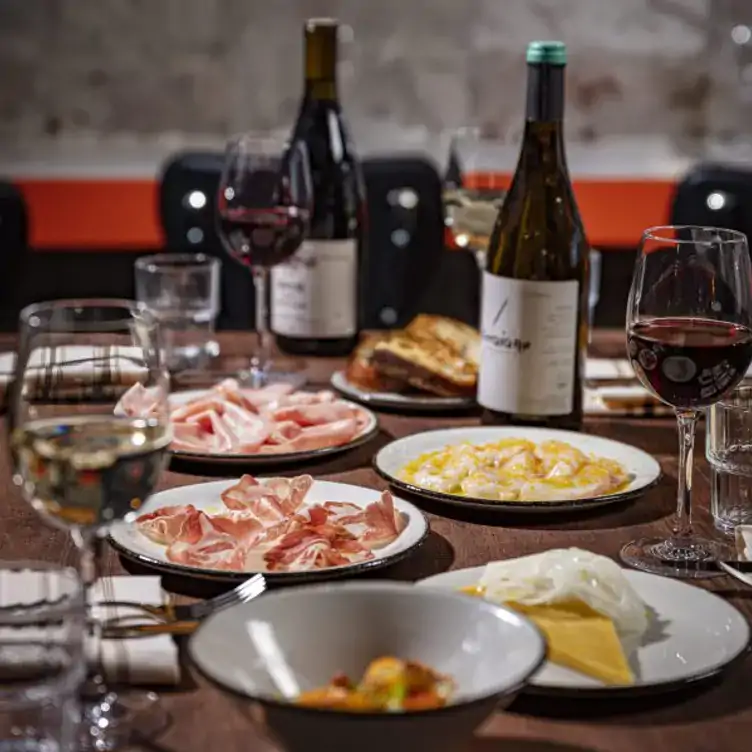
column 728, row 449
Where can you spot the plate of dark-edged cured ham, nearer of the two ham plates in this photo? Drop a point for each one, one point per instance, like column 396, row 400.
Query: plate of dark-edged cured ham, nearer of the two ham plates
column 290, row 529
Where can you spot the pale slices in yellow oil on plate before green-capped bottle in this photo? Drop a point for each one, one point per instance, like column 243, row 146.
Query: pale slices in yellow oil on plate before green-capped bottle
column 516, row 470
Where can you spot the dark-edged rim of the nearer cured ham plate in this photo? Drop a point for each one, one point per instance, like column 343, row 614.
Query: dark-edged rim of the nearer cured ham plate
column 317, row 575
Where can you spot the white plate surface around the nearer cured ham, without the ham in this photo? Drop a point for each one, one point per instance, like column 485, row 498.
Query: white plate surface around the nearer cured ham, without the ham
column 129, row 541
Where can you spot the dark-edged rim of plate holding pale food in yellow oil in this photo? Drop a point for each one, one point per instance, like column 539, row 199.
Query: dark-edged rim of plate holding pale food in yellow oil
column 529, row 507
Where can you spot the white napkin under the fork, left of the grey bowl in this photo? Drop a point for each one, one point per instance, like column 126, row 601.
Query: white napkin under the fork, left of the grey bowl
column 142, row 660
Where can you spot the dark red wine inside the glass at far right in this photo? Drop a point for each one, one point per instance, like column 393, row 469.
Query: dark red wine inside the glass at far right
column 689, row 362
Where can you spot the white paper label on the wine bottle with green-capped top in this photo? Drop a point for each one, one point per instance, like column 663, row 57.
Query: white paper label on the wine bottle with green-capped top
column 529, row 346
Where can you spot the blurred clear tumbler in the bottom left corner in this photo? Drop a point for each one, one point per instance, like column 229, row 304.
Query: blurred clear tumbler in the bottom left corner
column 42, row 657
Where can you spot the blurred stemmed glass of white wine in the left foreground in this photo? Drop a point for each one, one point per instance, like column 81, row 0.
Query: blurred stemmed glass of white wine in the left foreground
column 89, row 427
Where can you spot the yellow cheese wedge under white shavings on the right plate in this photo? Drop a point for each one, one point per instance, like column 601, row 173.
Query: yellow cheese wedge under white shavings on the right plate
column 578, row 637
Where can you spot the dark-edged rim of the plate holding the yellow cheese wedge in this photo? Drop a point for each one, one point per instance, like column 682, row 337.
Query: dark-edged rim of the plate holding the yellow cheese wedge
column 611, row 692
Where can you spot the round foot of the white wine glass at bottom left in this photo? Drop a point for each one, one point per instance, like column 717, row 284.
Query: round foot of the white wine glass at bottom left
column 108, row 722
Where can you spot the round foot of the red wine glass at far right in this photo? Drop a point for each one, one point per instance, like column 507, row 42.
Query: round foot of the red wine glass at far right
column 686, row 558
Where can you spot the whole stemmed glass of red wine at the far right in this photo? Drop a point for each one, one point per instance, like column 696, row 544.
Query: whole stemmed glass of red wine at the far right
column 689, row 340
